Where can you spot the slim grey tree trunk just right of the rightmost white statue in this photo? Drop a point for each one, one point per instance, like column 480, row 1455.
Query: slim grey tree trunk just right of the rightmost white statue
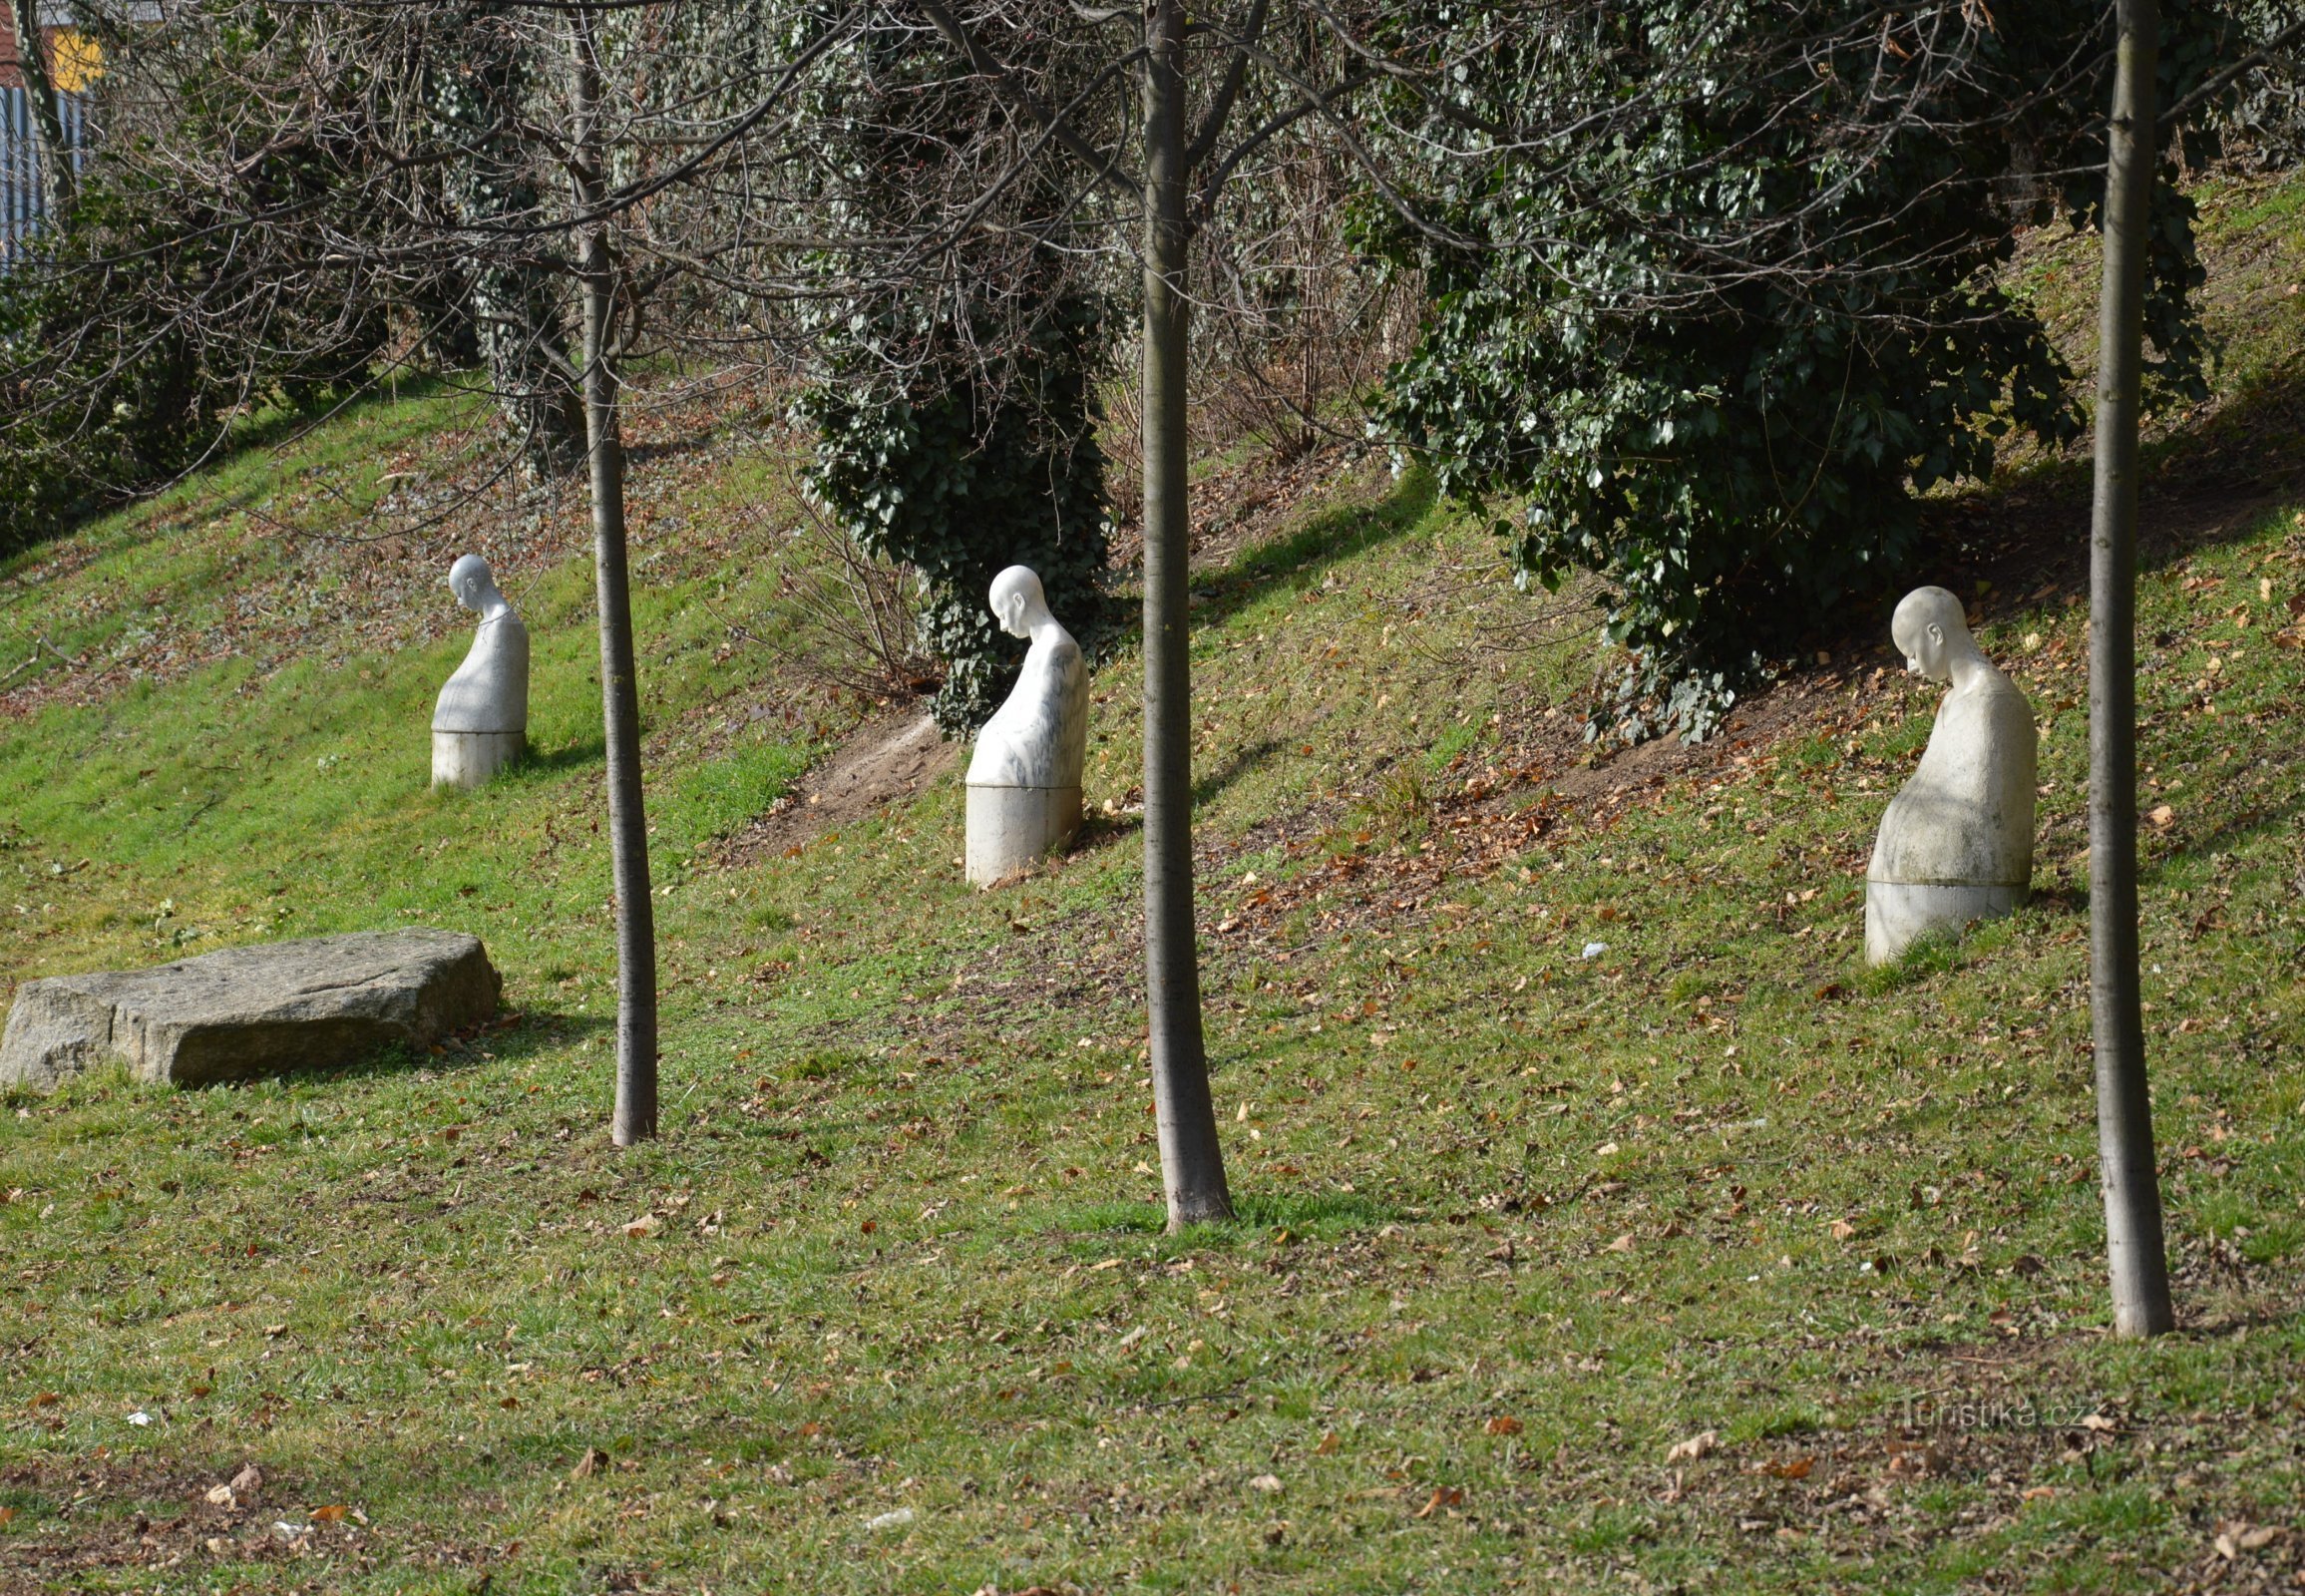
column 2133, row 1217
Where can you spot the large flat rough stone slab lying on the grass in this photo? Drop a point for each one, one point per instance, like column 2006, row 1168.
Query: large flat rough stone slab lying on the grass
column 252, row 1011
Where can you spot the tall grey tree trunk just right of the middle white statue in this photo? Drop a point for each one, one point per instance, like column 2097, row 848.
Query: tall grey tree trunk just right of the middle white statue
column 1193, row 1164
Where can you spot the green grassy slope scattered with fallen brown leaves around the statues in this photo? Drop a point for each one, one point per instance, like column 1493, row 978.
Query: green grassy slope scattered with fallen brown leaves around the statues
column 1516, row 1219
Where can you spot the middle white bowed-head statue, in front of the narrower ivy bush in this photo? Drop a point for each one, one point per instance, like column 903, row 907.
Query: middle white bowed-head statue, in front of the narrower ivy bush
column 1025, row 781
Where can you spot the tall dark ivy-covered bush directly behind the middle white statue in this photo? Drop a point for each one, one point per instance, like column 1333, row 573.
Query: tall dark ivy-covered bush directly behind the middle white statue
column 955, row 412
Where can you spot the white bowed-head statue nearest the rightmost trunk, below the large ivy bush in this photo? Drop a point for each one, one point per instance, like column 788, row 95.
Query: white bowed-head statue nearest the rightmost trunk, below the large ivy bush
column 1958, row 843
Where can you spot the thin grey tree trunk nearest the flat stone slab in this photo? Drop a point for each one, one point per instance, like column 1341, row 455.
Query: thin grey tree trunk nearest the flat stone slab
column 619, row 682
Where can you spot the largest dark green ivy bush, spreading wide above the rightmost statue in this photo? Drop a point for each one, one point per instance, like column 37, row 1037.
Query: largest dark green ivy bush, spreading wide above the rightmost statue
column 1716, row 340
